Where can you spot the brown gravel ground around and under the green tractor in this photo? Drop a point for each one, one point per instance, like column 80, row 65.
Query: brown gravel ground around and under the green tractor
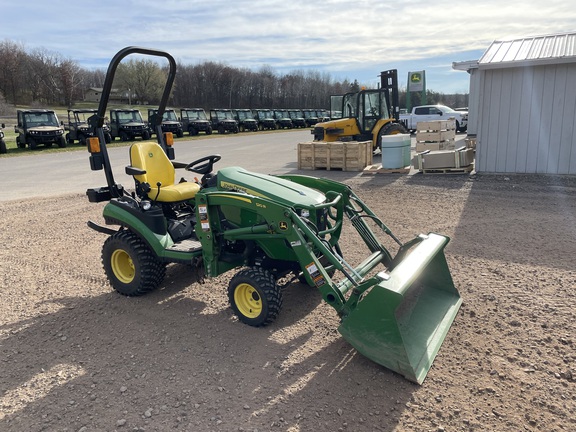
column 76, row 356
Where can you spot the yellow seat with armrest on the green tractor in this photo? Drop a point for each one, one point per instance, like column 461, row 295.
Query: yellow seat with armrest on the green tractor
column 151, row 159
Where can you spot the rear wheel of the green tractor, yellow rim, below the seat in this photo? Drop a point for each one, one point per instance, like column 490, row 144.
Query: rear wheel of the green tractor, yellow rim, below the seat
column 131, row 267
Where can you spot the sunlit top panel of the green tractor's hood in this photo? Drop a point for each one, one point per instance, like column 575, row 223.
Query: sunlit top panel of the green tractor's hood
column 267, row 186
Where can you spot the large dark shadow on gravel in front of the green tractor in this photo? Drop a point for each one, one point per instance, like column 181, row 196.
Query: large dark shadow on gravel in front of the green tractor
column 160, row 362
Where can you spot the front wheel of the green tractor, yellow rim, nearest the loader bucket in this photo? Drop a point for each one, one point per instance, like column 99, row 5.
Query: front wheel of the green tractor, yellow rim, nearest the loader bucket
column 255, row 297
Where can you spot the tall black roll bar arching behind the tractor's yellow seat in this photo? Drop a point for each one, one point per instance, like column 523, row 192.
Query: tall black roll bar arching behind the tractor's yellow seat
column 116, row 190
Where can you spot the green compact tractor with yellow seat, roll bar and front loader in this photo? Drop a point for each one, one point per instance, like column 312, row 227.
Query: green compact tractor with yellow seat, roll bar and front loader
column 396, row 309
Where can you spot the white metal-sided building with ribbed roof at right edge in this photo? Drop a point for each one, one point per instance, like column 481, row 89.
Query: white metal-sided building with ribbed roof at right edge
column 522, row 105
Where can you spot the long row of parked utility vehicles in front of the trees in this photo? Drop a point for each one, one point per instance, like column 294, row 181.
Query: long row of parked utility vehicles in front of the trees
column 41, row 126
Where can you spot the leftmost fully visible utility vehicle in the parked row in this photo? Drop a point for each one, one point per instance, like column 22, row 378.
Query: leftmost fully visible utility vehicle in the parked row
column 38, row 126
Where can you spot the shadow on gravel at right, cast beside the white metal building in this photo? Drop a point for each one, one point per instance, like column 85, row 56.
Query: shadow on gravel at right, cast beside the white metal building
column 519, row 219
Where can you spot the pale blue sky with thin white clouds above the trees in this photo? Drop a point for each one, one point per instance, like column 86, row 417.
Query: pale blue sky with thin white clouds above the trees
column 352, row 39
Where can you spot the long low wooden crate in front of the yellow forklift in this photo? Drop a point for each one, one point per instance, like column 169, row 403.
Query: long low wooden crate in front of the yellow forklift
column 346, row 156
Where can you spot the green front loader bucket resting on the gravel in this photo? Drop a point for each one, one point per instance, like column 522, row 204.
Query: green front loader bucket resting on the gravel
column 402, row 321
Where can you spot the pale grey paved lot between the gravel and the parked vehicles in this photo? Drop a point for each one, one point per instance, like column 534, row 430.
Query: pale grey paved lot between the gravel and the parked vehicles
column 40, row 174
